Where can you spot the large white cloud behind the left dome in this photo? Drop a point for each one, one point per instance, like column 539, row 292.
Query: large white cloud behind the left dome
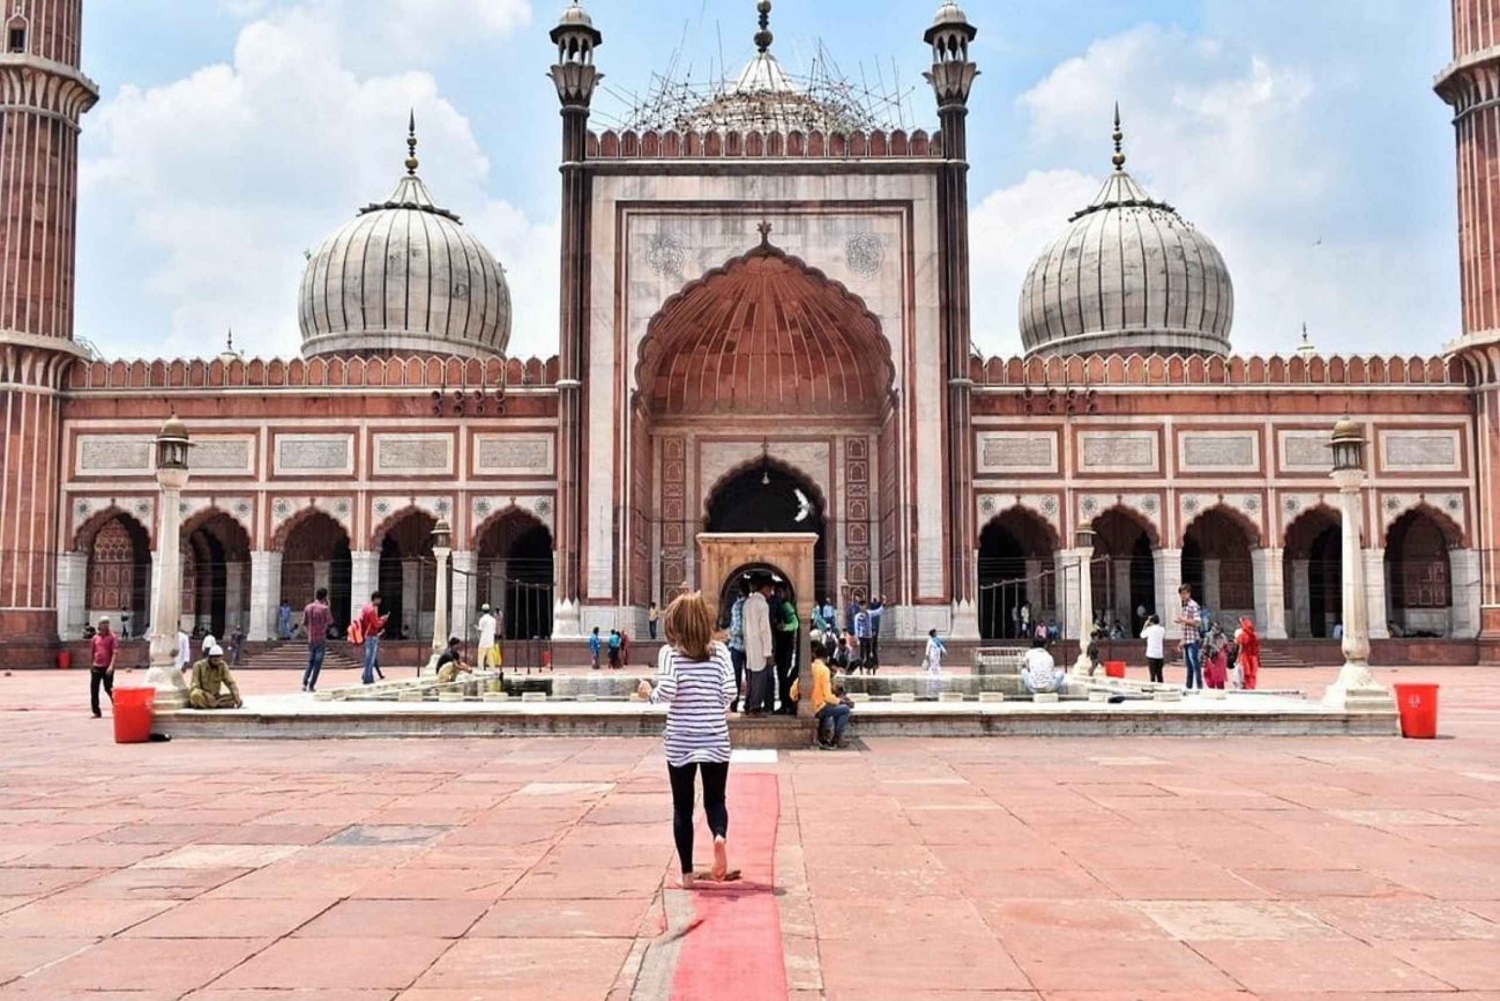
column 232, row 173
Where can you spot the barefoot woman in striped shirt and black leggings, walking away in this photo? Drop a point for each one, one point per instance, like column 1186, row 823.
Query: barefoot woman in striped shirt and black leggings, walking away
column 697, row 682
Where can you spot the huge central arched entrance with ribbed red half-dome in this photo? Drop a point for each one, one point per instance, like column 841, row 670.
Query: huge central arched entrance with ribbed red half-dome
column 754, row 349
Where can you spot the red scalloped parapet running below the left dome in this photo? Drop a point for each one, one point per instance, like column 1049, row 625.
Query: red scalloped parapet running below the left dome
column 419, row 373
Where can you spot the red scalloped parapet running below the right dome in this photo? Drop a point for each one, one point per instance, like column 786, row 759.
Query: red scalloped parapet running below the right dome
column 1100, row 371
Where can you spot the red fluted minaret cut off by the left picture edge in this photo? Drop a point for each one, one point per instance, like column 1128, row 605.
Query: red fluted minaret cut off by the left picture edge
column 46, row 97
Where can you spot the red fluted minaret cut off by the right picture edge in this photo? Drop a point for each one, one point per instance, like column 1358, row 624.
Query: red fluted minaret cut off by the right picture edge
column 1471, row 86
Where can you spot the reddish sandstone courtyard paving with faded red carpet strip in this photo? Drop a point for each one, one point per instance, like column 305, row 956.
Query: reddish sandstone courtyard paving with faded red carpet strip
column 1102, row 870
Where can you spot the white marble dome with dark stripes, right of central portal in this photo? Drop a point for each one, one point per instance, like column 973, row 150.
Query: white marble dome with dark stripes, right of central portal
column 1129, row 275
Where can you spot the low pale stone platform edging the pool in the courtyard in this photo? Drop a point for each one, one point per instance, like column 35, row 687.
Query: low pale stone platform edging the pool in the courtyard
column 301, row 717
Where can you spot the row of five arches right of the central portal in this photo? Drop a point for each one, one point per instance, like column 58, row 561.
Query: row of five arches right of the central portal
column 1421, row 579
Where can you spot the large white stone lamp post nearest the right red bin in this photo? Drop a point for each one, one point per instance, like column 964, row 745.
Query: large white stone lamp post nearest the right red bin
column 1357, row 688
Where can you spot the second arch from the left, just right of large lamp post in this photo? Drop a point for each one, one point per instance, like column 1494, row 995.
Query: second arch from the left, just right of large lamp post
column 217, row 568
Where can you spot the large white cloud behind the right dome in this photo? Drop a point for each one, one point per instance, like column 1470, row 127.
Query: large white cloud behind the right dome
column 1240, row 145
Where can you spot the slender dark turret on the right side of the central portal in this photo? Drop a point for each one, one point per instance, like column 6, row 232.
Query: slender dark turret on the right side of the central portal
column 952, row 77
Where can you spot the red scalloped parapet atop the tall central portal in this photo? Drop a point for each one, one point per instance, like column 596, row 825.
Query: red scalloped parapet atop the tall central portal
column 650, row 146
